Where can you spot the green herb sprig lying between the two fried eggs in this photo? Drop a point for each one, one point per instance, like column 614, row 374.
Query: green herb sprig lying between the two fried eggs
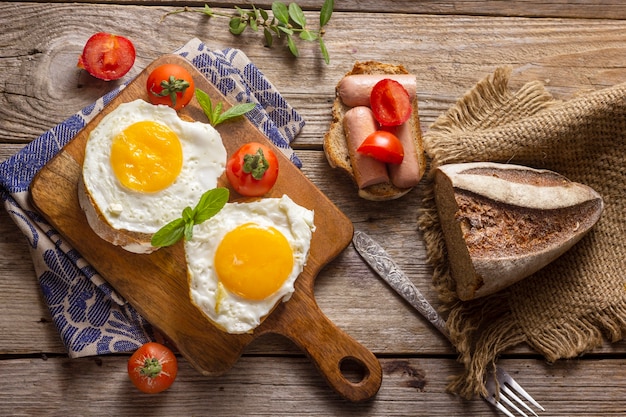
column 209, row 205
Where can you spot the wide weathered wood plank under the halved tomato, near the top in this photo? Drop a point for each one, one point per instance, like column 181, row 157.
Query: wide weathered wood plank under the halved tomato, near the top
column 41, row 86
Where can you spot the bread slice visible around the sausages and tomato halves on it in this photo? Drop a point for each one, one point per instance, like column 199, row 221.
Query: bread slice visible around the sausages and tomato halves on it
column 335, row 143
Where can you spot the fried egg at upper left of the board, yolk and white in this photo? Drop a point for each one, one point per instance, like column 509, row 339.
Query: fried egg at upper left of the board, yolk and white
column 144, row 164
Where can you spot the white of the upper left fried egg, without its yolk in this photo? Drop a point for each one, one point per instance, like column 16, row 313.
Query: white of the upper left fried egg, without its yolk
column 204, row 160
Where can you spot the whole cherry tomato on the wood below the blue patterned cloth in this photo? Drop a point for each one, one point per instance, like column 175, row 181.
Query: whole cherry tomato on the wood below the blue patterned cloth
column 152, row 368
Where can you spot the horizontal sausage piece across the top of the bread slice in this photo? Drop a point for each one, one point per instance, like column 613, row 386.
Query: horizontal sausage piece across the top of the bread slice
column 354, row 90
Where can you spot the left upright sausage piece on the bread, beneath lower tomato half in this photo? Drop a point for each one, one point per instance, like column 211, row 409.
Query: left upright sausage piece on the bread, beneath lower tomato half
column 359, row 123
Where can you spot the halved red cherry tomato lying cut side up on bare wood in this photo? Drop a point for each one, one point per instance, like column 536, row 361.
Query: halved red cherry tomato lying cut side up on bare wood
column 107, row 57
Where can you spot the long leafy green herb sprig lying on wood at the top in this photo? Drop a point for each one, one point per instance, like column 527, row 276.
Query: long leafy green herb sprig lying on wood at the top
column 288, row 21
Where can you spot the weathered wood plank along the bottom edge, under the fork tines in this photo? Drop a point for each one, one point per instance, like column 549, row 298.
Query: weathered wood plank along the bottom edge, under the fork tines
column 291, row 386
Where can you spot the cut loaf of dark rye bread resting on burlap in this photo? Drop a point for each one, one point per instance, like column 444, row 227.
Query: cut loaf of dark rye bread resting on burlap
column 502, row 222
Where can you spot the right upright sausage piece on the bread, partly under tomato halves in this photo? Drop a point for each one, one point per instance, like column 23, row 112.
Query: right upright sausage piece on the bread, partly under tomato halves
column 405, row 174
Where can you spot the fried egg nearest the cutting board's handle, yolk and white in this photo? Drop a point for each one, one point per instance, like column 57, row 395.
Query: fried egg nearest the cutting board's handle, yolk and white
column 246, row 259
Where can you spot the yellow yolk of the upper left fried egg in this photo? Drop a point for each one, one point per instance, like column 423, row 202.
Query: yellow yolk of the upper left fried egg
column 146, row 156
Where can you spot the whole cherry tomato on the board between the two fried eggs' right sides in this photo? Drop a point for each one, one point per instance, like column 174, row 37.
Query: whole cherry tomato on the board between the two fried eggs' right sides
column 252, row 170
